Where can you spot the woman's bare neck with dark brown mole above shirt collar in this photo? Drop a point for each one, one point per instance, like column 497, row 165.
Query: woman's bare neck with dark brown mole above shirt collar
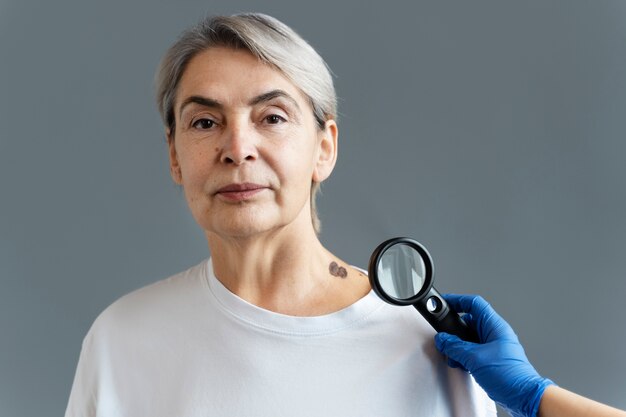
column 286, row 271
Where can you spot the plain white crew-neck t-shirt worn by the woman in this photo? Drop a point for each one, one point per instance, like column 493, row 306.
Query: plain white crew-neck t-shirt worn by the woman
column 187, row 346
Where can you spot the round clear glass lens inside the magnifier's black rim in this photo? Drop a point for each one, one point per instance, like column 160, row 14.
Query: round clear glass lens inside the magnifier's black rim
column 401, row 272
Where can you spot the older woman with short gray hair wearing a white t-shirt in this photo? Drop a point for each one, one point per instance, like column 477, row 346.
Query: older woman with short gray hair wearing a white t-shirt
column 273, row 323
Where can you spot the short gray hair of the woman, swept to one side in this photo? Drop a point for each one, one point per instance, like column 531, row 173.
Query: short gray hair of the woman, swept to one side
column 268, row 39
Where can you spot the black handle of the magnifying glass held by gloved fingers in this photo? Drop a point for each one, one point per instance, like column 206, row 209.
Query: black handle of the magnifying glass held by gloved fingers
column 434, row 308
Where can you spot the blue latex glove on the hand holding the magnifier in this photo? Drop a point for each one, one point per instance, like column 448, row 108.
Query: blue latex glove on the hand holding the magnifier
column 498, row 363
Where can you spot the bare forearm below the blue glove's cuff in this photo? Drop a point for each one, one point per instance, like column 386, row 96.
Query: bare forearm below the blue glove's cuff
column 559, row 402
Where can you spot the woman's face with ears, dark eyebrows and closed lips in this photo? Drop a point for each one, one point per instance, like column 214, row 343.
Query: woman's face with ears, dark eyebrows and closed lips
column 246, row 146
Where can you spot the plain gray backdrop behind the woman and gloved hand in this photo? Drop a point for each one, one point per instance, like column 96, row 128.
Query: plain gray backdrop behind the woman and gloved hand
column 491, row 131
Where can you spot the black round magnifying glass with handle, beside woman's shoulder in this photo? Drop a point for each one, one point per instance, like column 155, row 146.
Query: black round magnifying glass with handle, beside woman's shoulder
column 401, row 273
